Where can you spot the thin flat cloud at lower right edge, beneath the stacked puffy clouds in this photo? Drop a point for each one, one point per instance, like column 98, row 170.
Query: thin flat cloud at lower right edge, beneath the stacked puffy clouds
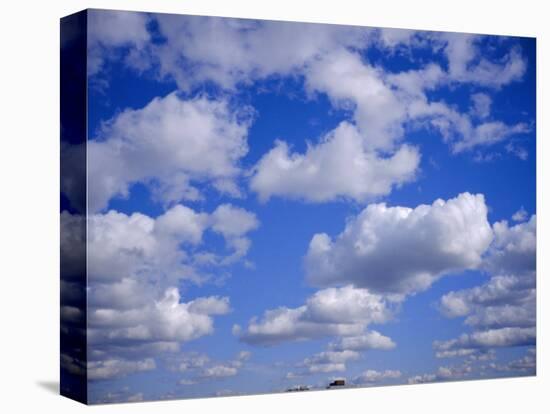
column 491, row 338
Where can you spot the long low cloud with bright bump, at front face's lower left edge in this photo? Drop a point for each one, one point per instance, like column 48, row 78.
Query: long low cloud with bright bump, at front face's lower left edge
column 164, row 320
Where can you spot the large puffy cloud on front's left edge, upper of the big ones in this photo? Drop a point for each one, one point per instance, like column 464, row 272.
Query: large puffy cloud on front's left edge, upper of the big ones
column 168, row 144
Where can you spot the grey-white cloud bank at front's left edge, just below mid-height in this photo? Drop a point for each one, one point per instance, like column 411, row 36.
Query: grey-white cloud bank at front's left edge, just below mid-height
column 121, row 246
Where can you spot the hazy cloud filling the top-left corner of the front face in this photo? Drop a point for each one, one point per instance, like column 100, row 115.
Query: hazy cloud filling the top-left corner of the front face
column 114, row 33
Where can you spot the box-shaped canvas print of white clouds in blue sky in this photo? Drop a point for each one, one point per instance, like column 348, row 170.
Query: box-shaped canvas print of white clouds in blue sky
column 257, row 206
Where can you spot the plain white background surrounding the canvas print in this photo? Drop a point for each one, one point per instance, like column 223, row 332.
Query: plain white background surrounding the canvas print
column 29, row 187
